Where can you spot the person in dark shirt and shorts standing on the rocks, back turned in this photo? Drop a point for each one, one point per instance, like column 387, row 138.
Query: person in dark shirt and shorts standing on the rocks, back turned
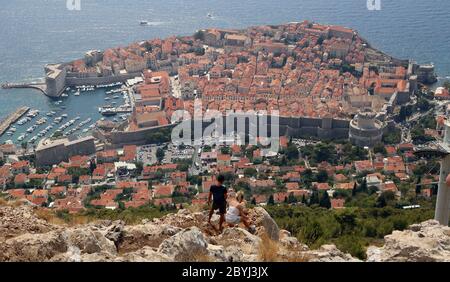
column 218, row 193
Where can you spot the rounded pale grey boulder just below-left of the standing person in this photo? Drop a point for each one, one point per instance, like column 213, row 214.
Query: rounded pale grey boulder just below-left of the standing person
column 187, row 245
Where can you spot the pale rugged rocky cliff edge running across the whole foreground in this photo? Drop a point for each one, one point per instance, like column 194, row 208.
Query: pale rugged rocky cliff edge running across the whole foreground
column 185, row 236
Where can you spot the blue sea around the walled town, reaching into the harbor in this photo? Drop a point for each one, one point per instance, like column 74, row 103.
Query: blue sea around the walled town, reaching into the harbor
column 38, row 32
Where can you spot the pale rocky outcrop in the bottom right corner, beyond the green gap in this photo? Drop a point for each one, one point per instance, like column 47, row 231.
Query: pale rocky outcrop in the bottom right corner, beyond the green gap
column 425, row 242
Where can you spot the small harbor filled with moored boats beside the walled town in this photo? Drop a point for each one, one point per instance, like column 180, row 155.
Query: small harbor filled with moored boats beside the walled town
column 75, row 113
